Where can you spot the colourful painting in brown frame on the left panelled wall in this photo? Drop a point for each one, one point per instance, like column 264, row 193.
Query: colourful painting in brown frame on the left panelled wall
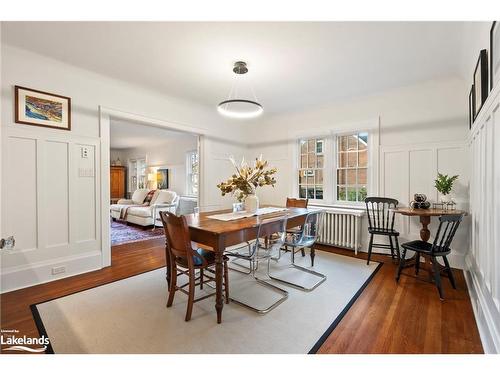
column 40, row 108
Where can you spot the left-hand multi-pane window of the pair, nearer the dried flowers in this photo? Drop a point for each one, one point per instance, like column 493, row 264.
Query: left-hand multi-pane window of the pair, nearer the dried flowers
column 311, row 168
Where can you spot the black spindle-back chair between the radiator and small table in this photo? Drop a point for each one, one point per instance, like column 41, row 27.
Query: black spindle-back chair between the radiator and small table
column 381, row 223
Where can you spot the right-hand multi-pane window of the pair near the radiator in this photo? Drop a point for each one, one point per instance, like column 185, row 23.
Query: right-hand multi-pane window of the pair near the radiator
column 352, row 167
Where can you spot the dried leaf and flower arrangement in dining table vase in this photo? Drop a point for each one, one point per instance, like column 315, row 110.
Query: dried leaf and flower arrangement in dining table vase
column 248, row 178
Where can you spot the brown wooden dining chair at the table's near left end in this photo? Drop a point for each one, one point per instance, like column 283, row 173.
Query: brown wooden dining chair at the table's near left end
column 185, row 257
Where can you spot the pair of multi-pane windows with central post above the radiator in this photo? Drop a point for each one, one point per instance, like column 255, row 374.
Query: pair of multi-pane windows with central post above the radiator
column 334, row 169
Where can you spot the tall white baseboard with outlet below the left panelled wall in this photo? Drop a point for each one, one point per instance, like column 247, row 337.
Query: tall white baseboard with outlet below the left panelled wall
column 40, row 273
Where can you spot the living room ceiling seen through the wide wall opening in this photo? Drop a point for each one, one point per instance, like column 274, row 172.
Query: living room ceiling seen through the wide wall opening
column 126, row 134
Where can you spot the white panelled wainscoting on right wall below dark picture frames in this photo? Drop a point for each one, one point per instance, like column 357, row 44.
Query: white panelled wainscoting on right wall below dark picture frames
column 483, row 261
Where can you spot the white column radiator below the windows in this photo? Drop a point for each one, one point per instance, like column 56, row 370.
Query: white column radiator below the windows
column 341, row 228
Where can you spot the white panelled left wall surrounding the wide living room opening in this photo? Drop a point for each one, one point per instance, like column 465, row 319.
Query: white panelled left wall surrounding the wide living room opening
column 73, row 239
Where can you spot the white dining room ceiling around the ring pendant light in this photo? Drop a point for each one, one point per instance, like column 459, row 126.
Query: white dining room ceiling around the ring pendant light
column 292, row 65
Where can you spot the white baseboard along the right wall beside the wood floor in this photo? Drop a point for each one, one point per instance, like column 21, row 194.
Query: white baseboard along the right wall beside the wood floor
column 487, row 316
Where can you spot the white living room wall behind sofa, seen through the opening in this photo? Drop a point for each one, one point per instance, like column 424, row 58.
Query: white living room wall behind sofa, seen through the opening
column 171, row 154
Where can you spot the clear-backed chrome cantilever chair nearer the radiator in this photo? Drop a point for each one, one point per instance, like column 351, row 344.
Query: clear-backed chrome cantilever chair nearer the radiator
column 306, row 237
